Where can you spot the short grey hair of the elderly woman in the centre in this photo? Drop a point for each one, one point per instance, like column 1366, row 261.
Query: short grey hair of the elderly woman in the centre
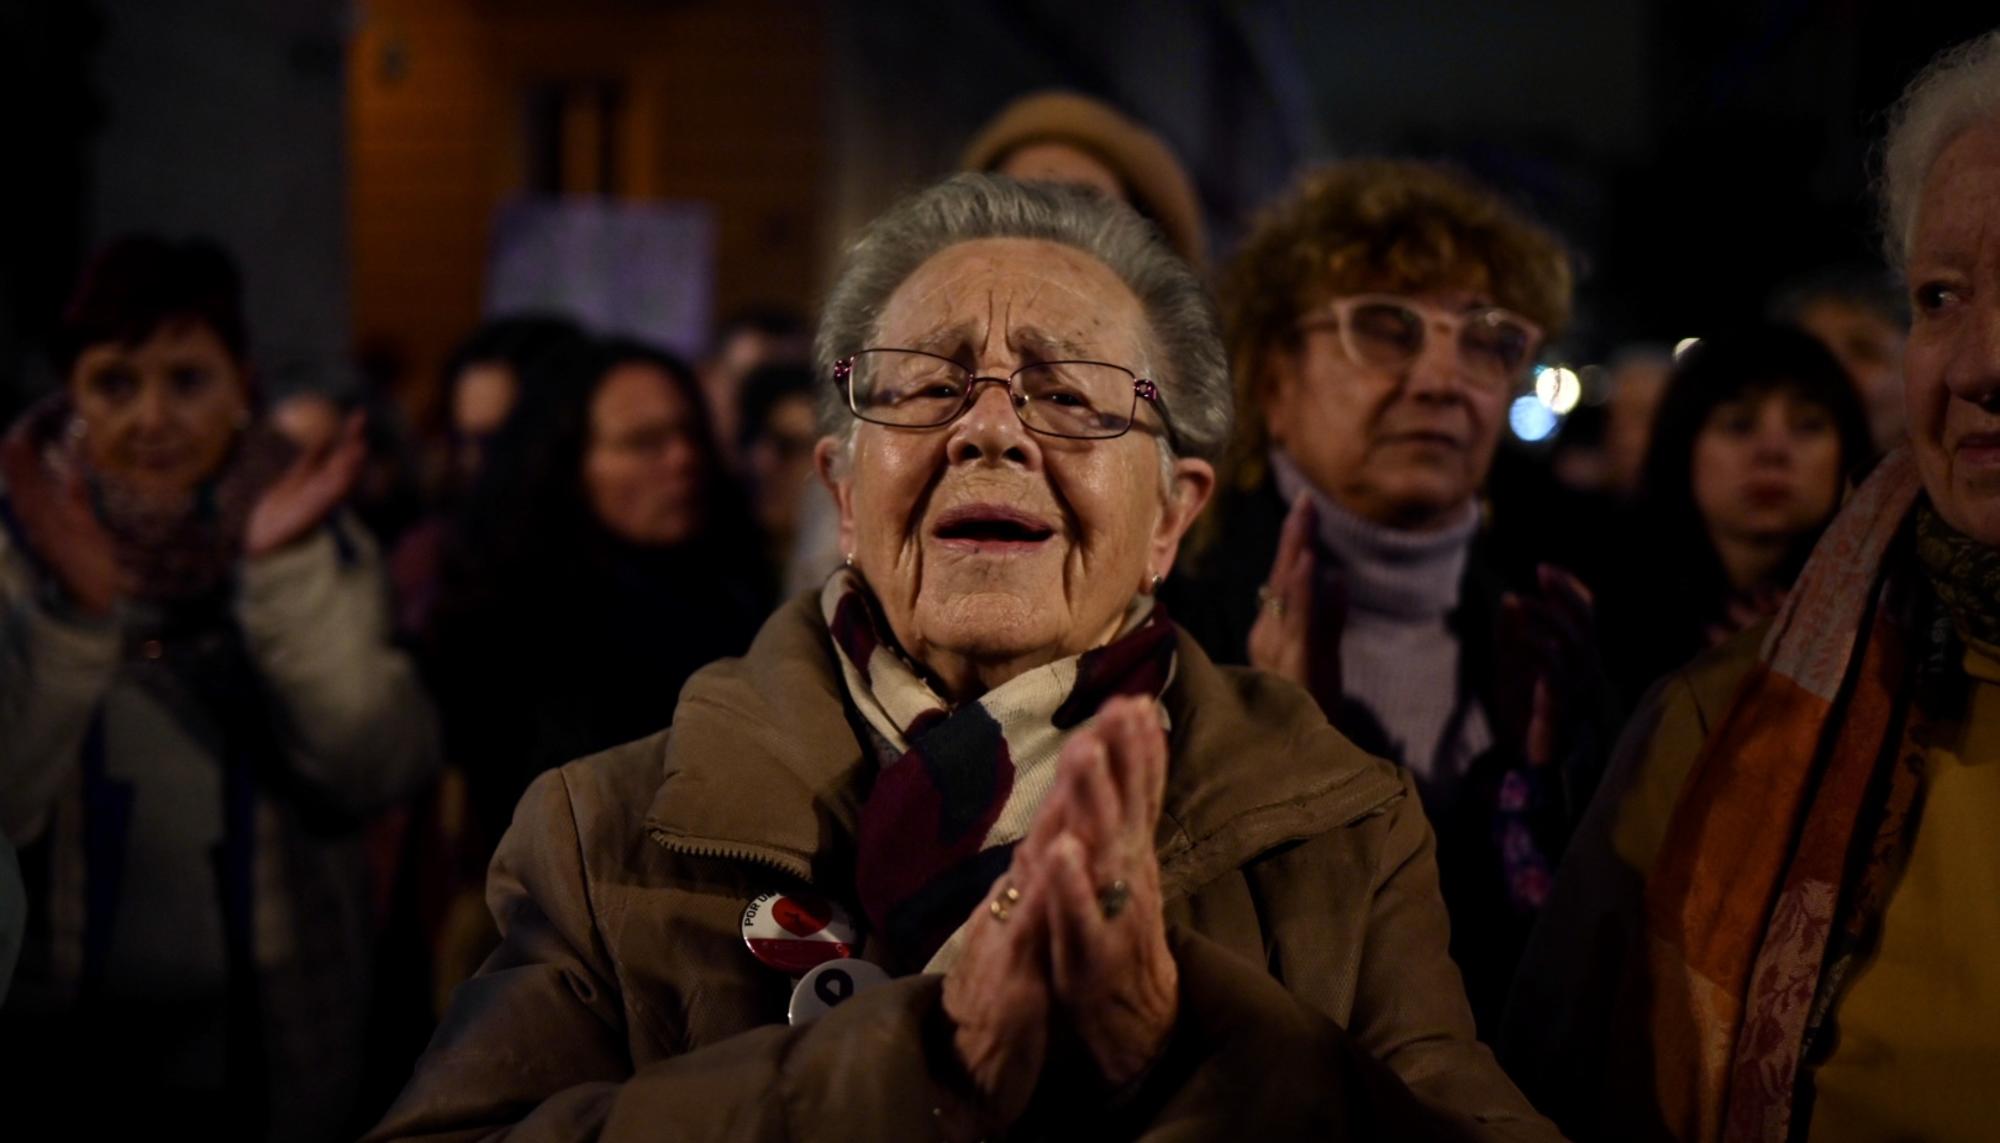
column 1183, row 341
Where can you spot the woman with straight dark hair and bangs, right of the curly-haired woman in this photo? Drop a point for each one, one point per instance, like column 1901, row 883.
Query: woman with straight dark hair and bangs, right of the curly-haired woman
column 1757, row 439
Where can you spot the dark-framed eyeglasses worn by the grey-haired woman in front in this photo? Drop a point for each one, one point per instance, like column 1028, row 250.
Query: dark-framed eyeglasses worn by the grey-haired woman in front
column 1077, row 401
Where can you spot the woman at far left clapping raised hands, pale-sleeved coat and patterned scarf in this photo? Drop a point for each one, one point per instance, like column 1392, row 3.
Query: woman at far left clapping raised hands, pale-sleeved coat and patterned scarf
column 199, row 708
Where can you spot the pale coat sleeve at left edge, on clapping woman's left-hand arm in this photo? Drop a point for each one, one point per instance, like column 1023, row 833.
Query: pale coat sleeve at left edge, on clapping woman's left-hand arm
column 53, row 678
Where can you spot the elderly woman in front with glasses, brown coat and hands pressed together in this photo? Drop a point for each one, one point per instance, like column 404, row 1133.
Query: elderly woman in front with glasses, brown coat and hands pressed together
column 1119, row 890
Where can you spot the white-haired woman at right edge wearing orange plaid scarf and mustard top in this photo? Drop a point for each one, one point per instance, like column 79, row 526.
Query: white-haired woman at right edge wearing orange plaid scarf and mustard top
column 1783, row 918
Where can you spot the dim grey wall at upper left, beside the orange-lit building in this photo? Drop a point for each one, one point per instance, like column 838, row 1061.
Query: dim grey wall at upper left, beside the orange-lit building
column 223, row 119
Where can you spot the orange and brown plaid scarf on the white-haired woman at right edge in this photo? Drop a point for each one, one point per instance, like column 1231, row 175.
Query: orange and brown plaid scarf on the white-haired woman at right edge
column 1791, row 832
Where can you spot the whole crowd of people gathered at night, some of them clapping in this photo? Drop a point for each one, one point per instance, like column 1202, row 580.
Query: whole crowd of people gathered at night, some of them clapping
column 1145, row 688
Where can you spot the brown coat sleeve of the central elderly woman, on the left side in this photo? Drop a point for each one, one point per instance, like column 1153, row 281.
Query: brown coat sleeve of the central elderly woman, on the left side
column 535, row 1046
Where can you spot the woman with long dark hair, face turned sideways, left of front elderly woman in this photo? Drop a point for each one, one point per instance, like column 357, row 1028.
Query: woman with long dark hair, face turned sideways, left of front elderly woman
column 599, row 563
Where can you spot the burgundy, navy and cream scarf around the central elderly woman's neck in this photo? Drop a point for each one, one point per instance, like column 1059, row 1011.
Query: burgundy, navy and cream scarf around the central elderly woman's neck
column 959, row 788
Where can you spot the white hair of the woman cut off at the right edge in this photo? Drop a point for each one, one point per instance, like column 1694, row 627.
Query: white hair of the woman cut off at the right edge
column 1959, row 91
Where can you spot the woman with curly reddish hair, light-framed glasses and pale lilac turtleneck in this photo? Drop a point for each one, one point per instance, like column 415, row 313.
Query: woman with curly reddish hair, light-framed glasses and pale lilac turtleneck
column 1381, row 317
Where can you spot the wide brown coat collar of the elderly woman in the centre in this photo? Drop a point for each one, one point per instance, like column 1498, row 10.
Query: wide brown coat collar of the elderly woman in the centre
column 763, row 764
